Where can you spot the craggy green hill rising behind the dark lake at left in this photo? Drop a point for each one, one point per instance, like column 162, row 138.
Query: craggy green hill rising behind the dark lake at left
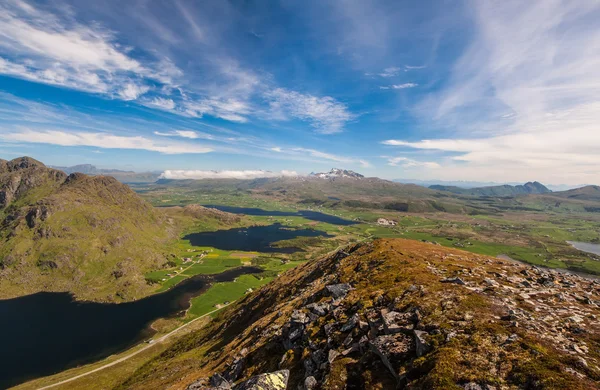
column 89, row 235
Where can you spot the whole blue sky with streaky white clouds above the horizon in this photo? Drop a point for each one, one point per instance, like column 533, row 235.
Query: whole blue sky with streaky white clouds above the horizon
column 457, row 90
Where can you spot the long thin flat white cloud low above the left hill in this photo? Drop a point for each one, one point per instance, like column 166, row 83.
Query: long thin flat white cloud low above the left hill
column 101, row 140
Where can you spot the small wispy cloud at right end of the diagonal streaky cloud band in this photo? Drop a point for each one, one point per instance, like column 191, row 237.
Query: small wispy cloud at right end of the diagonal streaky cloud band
column 325, row 114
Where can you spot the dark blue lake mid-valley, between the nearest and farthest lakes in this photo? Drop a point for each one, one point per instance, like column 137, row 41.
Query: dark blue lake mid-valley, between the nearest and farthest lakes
column 253, row 238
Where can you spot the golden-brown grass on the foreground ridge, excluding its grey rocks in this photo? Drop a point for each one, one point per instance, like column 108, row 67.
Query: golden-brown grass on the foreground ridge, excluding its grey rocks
column 383, row 271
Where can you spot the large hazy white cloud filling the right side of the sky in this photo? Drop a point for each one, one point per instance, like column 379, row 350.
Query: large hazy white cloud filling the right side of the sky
column 522, row 102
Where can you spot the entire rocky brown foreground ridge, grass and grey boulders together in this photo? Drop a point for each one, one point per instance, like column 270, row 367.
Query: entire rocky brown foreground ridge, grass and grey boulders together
column 396, row 314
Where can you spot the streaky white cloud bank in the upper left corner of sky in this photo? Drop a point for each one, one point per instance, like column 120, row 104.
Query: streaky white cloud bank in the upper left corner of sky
column 54, row 48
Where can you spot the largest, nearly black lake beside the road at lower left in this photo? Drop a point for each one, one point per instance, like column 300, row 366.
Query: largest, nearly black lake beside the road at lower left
column 45, row 333
